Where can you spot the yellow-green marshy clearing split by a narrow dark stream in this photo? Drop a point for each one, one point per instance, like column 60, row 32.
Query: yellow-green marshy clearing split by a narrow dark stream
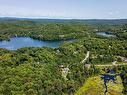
column 95, row 86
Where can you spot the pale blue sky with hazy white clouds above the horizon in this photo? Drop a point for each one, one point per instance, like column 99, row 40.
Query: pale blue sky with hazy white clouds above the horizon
column 64, row 9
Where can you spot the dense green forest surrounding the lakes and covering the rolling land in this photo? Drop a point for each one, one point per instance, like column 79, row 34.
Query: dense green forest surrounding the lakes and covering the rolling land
column 59, row 71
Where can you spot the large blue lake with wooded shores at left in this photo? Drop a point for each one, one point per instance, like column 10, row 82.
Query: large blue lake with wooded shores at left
column 20, row 42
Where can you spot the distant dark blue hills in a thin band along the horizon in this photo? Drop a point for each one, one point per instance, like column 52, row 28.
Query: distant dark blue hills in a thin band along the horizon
column 85, row 21
